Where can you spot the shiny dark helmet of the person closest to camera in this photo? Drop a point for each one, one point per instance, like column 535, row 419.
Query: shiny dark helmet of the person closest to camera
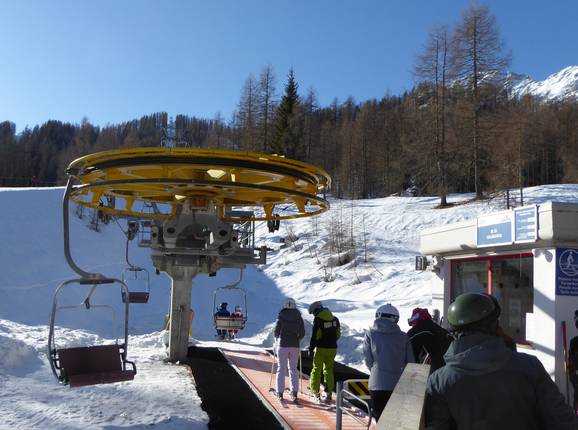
column 473, row 310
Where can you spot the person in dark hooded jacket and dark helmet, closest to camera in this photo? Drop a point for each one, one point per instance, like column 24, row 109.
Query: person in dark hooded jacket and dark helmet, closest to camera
column 486, row 385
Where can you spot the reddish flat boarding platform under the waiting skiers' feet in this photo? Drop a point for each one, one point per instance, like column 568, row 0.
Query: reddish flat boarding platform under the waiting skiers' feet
column 255, row 368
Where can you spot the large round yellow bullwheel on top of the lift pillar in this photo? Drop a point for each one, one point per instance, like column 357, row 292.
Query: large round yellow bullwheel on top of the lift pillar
column 224, row 178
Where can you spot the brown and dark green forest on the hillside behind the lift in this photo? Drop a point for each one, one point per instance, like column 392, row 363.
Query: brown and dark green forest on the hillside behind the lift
column 457, row 130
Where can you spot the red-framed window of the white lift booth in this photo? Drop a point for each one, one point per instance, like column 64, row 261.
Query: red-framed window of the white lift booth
column 508, row 278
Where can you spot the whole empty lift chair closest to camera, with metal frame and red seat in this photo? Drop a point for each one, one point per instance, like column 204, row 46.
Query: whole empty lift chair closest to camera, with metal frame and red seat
column 90, row 365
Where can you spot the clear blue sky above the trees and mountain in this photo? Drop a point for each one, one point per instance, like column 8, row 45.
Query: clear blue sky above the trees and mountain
column 115, row 60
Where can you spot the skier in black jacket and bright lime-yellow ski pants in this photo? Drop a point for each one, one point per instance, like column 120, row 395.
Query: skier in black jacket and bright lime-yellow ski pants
column 323, row 348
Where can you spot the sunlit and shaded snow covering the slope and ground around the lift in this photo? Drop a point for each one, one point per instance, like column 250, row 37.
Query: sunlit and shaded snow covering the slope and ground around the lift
column 162, row 395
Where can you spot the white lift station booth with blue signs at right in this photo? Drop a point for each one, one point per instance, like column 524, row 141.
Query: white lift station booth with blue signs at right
column 528, row 259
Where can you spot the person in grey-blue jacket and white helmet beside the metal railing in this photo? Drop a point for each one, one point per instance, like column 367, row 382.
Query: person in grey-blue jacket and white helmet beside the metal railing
column 386, row 350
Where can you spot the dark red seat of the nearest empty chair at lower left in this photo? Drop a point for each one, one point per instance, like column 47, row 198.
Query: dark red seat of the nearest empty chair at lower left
column 91, row 365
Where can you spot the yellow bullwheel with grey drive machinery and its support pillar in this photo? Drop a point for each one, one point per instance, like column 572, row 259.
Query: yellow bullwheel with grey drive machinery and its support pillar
column 203, row 198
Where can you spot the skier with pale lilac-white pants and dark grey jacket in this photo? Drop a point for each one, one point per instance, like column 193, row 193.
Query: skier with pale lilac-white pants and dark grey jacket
column 289, row 330
